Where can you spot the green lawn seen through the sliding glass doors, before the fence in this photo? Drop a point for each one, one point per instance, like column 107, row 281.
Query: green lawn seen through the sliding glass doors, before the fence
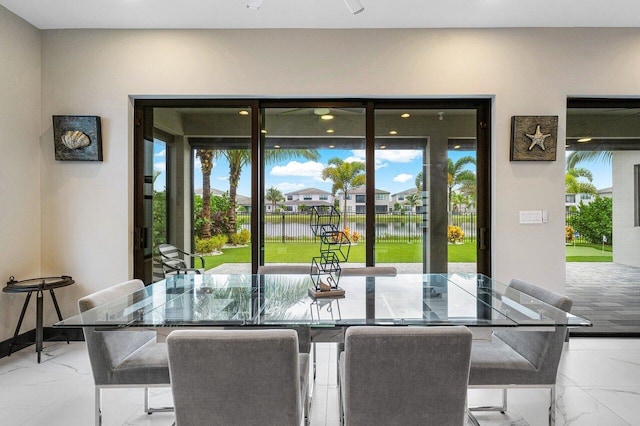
column 304, row 252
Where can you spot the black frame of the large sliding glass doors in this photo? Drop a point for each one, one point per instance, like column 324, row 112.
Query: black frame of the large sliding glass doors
column 143, row 128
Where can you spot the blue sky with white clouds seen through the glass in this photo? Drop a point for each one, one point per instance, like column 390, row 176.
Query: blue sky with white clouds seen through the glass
column 396, row 171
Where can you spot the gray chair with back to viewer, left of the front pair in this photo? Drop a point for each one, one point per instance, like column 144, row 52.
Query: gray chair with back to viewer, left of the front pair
column 238, row 377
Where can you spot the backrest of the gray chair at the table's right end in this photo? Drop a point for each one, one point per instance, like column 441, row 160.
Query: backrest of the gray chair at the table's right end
column 541, row 348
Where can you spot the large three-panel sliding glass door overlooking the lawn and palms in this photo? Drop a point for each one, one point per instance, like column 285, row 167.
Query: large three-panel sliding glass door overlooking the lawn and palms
column 407, row 181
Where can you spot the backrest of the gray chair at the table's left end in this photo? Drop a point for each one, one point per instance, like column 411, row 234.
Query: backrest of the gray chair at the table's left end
column 107, row 349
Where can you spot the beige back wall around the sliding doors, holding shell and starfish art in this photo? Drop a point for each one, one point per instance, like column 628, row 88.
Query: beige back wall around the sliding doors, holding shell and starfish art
column 87, row 213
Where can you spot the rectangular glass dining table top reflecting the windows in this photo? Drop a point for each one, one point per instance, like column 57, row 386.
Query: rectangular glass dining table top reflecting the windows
column 270, row 301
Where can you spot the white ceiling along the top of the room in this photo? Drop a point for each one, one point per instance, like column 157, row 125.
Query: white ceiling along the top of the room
column 55, row 14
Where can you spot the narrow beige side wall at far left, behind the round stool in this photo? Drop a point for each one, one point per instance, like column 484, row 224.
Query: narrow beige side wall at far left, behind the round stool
column 19, row 163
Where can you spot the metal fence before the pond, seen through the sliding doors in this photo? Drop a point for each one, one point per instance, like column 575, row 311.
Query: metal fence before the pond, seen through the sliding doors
column 400, row 228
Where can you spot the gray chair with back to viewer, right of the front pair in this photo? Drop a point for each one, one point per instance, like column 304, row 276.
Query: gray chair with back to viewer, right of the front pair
column 404, row 375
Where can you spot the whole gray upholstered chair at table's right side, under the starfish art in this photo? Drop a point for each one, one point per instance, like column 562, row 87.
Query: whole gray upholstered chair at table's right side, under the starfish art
column 520, row 358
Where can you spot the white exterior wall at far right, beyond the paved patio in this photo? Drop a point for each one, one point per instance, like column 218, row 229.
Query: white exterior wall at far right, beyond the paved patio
column 626, row 236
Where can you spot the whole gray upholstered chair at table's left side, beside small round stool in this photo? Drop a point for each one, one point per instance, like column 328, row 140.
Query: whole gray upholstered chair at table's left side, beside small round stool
column 123, row 358
